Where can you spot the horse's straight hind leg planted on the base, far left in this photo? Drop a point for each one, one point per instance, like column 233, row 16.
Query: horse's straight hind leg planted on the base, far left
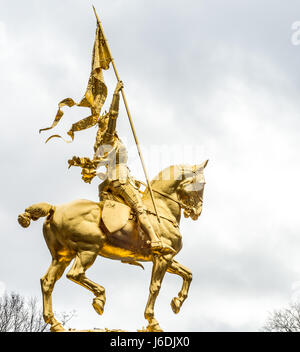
column 54, row 272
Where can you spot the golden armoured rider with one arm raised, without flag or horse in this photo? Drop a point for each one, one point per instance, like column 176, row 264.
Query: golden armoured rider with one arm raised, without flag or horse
column 112, row 153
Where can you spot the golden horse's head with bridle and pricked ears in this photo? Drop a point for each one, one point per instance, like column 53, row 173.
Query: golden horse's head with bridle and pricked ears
column 190, row 190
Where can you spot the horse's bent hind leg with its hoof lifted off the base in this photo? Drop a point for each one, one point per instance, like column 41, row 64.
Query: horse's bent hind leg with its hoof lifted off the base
column 83, row 261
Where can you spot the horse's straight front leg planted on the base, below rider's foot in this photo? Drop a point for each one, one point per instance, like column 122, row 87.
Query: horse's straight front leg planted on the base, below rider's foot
column 160, row 266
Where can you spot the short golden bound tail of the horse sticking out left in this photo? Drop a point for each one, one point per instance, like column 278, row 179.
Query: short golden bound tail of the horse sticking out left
column 34, row 212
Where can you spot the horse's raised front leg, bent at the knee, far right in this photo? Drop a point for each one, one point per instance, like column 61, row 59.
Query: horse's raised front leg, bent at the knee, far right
column 185, row 273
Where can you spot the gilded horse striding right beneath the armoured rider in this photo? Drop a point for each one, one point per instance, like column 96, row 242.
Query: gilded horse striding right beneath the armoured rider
column 75, row 231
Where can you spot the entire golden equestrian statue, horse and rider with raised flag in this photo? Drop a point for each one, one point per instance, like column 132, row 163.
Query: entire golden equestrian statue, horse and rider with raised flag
column 126, row 224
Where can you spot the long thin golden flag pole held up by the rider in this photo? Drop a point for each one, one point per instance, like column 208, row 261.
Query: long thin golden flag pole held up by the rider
column 129, row 117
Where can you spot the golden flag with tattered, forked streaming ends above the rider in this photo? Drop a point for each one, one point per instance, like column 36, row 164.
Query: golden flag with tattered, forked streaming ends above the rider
column 96, row 91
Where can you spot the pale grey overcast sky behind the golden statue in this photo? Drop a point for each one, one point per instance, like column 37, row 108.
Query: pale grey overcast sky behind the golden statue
column 204, row 80
